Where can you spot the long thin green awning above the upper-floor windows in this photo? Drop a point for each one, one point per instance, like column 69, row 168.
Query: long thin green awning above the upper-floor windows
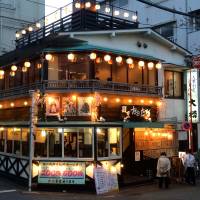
column 87, row 47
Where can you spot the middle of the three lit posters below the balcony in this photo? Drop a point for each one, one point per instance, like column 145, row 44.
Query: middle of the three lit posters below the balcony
column 69, row 106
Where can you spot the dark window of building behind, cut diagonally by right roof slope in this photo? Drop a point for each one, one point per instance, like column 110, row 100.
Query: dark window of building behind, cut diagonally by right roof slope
column 166, row 30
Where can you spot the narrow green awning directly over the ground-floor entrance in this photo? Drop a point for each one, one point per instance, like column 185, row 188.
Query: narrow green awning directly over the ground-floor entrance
column 143, row 125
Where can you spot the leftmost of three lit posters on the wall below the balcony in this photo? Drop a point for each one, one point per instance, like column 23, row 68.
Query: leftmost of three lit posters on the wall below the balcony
column 52, row 106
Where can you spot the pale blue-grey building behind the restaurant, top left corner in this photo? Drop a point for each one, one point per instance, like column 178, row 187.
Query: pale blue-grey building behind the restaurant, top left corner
column 16, row 14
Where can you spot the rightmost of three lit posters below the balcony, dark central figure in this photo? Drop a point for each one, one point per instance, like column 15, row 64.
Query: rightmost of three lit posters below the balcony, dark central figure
column 84, row 106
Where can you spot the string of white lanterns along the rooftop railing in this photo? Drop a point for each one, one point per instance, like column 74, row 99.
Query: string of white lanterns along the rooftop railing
column 78, row 5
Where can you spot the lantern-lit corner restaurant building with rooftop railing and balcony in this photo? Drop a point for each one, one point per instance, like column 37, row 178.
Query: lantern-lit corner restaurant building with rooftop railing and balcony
column 98, row 96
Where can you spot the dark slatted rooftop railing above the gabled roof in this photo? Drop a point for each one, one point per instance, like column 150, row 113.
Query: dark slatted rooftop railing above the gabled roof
column 77, row 21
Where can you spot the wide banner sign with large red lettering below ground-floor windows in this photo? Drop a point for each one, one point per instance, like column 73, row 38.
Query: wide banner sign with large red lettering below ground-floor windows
column 61, row 173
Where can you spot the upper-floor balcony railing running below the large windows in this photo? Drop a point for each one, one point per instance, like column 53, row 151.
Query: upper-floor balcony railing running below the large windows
column 87, row 86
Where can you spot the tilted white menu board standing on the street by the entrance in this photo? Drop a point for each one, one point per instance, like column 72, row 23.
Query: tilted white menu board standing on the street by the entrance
column 105, row 181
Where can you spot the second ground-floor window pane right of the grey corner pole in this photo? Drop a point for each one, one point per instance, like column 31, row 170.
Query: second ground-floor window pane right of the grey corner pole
column 55, row 142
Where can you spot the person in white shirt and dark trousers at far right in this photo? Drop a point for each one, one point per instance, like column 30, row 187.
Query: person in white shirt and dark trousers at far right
column 189, row 164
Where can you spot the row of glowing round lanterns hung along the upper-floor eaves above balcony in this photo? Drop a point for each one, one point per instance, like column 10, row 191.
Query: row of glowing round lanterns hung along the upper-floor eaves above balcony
column 93, row 56
